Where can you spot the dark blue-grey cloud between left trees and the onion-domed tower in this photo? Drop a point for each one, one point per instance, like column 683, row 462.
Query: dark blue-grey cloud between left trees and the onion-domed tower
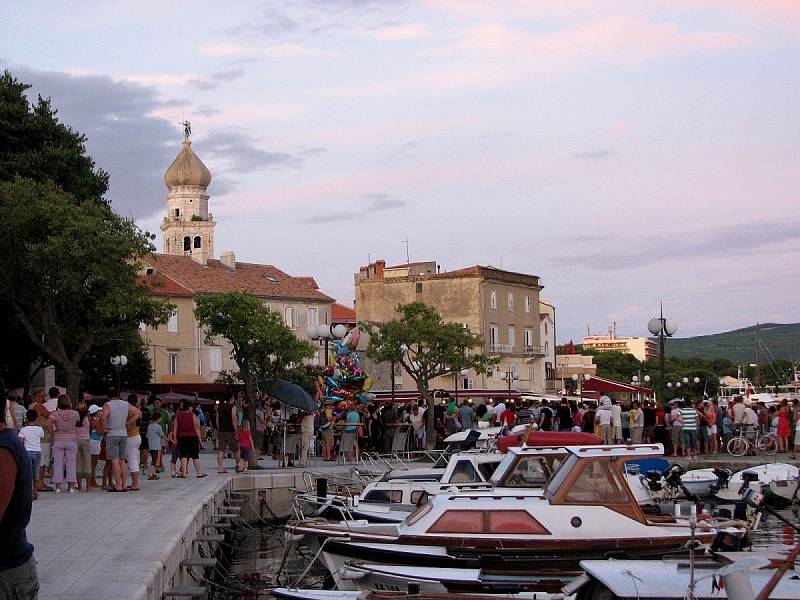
column 123, row 136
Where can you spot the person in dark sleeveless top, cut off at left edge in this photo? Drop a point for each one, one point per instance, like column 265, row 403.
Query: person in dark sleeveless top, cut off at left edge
column 18, row 577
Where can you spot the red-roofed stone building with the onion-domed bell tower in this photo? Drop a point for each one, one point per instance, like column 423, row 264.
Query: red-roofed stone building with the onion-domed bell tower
column 187, row 268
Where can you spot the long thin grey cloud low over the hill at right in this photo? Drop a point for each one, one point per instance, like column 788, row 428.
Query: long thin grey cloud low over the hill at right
column 730, row 242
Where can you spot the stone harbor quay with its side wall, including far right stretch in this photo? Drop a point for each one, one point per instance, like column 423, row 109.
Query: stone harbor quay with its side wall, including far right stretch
column 141, row 545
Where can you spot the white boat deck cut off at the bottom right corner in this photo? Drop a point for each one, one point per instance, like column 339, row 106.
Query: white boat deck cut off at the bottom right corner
column 735, row 575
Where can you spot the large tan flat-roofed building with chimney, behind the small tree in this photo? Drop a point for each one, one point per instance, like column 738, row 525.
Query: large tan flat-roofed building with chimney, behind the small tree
column 502, row 306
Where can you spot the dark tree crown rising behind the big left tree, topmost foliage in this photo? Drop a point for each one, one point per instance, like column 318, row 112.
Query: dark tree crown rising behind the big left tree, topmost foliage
column 34, row 145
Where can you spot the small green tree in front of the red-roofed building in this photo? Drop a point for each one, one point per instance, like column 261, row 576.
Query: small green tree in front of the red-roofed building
column 263, row 347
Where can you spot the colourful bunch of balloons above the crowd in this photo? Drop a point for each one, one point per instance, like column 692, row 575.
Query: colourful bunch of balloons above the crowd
column 350, row 383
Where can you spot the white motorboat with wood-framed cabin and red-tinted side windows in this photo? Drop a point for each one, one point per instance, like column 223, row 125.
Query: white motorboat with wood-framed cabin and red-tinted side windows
column 585, row 509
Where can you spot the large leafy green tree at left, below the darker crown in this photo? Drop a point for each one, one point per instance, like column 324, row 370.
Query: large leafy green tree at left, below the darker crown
column 69, row 272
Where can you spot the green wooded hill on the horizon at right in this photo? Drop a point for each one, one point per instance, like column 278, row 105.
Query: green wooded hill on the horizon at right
column 739, row 346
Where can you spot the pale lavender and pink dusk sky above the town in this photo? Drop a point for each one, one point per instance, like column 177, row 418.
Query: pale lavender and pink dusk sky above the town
column 629, row 153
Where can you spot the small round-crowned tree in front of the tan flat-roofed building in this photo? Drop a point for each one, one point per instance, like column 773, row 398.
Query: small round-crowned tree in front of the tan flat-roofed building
column 426, row 347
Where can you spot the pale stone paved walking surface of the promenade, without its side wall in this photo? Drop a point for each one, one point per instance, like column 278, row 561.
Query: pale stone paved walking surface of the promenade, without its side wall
column 99, row 545
